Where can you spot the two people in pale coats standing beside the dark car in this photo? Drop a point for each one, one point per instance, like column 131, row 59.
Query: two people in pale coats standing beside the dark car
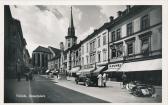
column 102, row 78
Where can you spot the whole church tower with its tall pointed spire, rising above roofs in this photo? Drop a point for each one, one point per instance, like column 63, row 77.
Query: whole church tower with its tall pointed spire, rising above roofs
column 71, row 39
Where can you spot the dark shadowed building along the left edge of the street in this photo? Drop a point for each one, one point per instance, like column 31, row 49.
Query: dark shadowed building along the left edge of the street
column 14, row 45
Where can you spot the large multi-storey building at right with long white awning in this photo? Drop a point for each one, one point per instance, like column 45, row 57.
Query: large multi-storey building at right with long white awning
column 135, row 44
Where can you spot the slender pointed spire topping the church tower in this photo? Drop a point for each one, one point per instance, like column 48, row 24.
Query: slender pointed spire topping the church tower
column 71, row 29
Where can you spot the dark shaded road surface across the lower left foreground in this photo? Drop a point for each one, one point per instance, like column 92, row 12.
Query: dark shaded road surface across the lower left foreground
column 43, row 91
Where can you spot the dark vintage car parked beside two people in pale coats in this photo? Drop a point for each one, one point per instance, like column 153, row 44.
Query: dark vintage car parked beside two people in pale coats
column 87, row 79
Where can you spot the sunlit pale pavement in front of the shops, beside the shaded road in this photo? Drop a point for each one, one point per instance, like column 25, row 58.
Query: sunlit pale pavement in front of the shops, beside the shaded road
column 112, row 93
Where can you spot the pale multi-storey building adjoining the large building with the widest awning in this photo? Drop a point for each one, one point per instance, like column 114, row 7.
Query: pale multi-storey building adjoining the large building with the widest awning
column 94, row 51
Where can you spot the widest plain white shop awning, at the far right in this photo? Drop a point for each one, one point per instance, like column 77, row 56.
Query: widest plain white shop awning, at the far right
column 147, row 65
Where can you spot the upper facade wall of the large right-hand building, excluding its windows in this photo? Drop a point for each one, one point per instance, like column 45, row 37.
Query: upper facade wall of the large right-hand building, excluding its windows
column 155, row 27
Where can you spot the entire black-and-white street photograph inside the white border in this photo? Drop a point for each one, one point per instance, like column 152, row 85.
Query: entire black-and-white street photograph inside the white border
column 82, row 53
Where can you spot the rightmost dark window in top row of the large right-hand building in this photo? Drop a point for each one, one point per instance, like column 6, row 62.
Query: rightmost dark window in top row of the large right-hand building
column 144, row 22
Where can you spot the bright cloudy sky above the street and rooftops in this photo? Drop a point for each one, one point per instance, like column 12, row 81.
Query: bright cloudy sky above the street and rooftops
column 47, row 25
